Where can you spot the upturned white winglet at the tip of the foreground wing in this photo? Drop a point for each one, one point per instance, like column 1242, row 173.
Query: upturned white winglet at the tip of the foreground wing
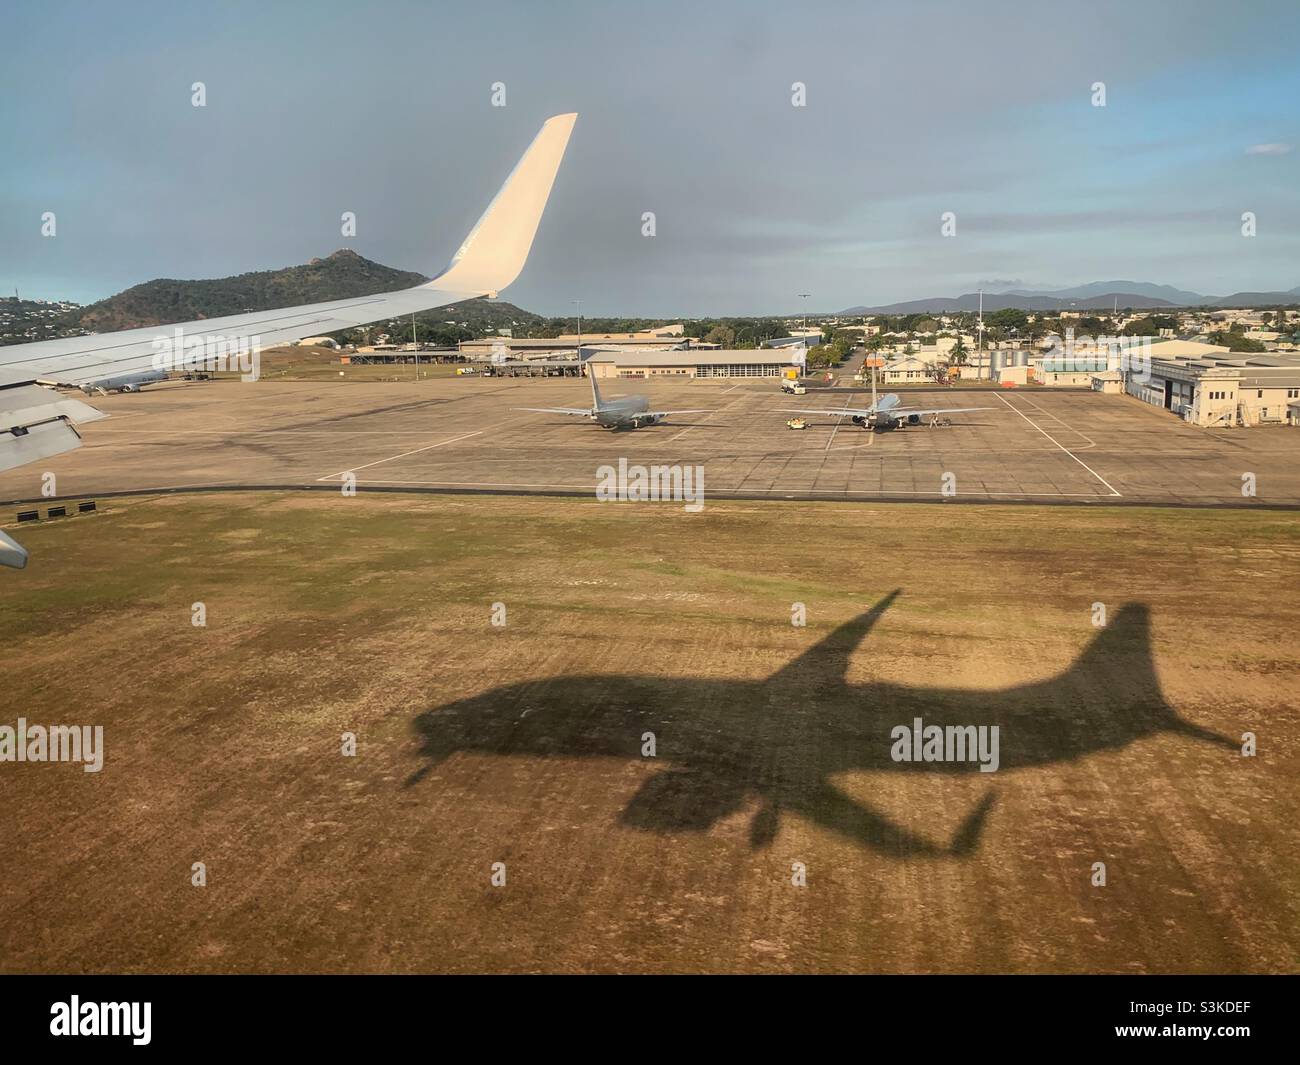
column 497, row 248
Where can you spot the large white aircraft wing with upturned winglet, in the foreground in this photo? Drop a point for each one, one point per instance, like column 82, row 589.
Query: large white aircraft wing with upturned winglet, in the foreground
column 37, row 422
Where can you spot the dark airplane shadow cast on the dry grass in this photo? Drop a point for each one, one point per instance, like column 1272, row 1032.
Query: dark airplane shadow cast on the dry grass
column 781, row 741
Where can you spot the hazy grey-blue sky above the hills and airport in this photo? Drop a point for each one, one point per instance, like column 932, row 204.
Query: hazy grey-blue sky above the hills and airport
column 913, row 110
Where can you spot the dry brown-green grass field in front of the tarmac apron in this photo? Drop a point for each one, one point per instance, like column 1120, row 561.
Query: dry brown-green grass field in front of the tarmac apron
column 523, row 744
